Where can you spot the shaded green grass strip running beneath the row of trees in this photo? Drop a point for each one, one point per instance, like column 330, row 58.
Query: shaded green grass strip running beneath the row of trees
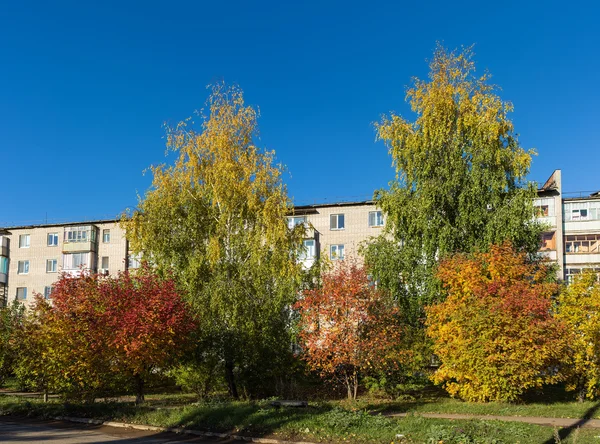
column 325, row 422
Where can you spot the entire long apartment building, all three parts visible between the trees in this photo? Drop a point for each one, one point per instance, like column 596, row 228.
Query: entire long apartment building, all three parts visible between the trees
column 32, row 257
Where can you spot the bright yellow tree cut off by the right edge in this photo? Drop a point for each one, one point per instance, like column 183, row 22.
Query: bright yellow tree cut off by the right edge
column 579, row 309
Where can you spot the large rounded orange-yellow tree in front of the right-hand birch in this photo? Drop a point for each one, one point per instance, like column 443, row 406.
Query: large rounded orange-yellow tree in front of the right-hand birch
column 495, row 333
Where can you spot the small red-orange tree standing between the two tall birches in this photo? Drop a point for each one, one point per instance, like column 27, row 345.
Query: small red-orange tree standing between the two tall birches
column 345, row 327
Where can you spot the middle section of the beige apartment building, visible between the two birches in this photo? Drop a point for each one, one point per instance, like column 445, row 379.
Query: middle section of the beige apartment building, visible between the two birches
column 336, row 230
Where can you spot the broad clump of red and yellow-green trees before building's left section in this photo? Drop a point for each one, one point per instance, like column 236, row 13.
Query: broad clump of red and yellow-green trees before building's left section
column 102, row 331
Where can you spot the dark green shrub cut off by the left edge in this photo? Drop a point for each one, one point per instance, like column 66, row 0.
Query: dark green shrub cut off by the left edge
column 11, row 325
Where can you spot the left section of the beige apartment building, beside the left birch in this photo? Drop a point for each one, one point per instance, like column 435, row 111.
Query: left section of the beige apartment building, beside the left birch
column 34, row 256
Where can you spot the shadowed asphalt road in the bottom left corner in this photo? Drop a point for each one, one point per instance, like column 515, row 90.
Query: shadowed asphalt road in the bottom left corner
column 30, row 431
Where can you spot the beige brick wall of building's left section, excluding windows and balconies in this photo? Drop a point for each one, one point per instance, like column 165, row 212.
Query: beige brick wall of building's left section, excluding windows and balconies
column 39, row 252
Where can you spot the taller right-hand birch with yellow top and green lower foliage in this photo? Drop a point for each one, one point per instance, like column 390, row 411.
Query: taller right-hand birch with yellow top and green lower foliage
column 460, row 181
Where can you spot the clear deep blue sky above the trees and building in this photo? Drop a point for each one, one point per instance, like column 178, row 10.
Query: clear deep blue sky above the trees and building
column 86, row 86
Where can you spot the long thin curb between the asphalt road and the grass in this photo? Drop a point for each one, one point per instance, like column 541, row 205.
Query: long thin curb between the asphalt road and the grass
column 178, row 430
